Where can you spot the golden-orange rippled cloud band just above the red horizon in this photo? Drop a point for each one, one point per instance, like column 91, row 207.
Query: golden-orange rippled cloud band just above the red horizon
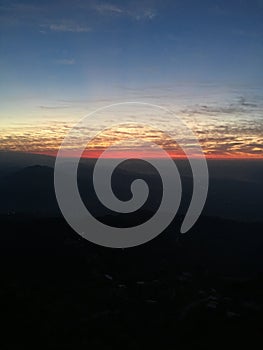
column 47, row 138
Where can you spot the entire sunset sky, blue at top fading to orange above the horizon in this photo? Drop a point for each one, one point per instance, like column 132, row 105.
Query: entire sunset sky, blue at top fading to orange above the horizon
column 61, row 60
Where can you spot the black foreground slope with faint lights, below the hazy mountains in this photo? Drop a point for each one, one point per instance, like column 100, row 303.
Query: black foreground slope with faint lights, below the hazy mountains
column 202, row 290
